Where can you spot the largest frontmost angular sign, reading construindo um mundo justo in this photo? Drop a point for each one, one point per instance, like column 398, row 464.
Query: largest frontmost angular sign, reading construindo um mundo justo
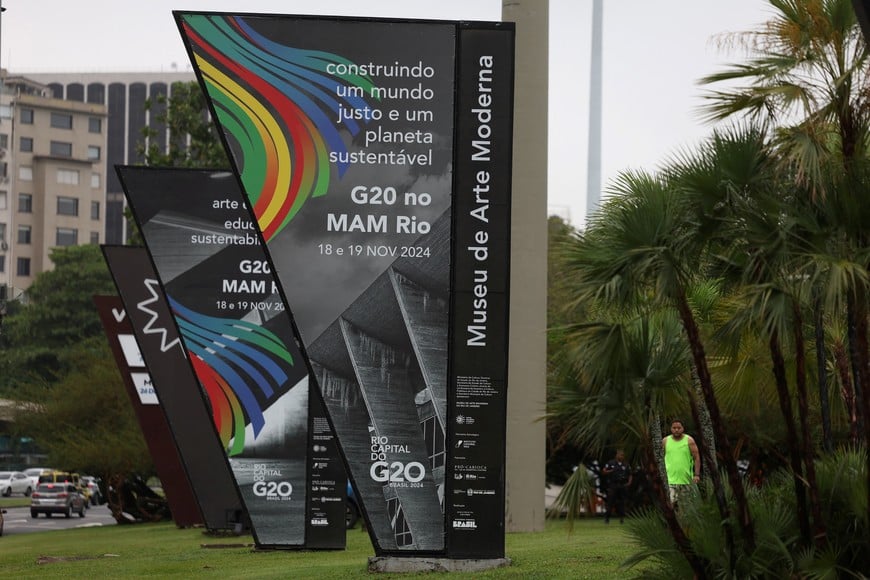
column 375, row 159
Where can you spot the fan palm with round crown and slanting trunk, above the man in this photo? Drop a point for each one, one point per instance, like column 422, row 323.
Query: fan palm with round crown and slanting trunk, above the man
column 648, row 242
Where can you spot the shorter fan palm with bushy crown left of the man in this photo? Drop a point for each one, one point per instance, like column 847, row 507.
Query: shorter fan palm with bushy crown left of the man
column 619, row 371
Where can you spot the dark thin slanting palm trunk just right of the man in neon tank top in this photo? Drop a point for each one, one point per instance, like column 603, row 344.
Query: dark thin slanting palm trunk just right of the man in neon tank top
column 723, row 445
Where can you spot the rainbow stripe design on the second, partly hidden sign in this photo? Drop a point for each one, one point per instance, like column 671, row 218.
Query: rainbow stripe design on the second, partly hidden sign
column 228, row 356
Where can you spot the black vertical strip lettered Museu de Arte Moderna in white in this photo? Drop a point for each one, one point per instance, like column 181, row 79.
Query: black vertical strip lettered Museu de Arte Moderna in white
column 479, row 343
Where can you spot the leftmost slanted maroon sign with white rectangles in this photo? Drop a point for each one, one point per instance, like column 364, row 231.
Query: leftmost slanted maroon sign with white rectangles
column 143, row 397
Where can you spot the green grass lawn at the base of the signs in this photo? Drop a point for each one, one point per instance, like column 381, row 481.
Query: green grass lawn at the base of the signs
column 591, row 550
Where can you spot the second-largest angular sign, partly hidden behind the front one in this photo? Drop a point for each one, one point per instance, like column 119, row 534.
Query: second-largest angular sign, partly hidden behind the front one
column 239, row 338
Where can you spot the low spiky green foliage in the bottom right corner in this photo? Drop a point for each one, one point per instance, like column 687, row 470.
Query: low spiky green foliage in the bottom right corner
column 778, row 552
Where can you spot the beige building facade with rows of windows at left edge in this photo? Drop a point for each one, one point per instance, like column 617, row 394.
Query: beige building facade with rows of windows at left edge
column 52, row 179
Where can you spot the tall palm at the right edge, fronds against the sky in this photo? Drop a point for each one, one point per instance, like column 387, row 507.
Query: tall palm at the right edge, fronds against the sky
column 807, row 78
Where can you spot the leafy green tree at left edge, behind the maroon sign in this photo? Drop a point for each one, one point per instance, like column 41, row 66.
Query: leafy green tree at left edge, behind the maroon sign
column 54, row 360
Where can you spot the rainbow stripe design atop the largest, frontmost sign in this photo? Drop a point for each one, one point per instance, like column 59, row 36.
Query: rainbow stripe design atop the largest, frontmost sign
column 277, row 103
